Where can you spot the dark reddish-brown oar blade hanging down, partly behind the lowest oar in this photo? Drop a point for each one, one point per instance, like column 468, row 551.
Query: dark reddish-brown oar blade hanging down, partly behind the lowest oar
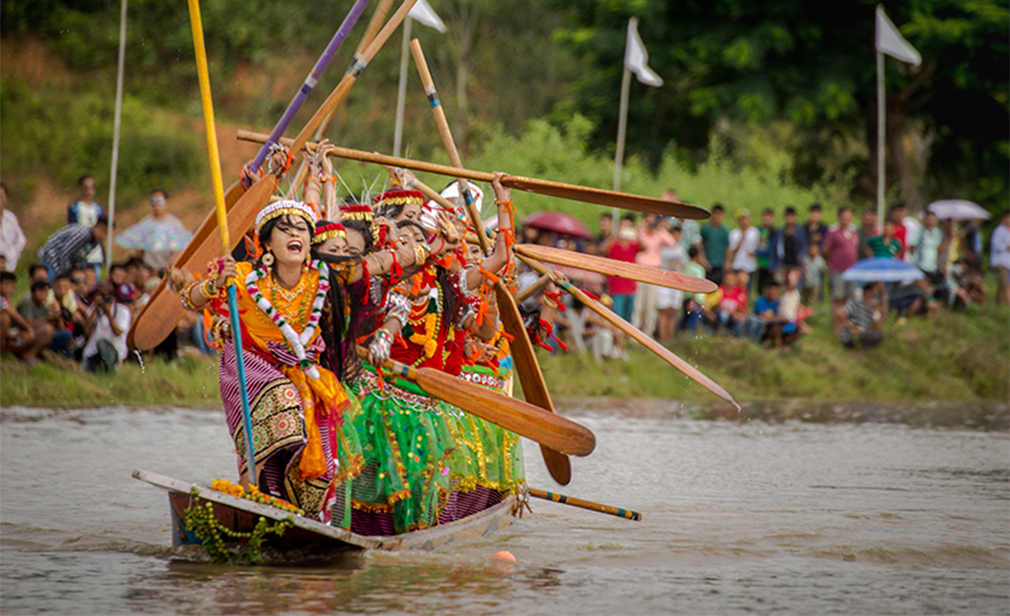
column 535, row 388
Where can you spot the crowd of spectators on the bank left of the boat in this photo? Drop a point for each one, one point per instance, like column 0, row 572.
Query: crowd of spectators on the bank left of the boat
column 71, row 312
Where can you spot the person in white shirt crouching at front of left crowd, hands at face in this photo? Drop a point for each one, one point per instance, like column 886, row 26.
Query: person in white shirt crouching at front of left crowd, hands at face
column 106, row 327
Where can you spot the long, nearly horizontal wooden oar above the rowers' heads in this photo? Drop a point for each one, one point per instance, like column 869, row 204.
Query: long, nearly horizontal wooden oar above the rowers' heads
column 573, row 192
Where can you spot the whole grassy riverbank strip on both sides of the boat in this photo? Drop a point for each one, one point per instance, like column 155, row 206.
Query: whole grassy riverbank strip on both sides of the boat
column 961, row 357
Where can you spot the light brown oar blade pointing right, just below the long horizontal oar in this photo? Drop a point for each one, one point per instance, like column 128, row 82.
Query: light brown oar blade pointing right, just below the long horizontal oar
column 610, row 267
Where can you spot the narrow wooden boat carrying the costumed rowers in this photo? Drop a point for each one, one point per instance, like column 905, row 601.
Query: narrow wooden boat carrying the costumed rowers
column 312, row 537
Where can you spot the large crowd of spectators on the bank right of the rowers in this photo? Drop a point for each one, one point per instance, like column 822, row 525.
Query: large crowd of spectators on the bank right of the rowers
column 771, row 278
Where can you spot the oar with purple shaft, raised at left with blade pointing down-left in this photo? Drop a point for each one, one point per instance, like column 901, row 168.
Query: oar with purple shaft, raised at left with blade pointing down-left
column 163, row 311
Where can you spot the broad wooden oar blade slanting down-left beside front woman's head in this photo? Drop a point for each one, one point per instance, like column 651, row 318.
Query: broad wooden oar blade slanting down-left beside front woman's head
column 164, row 311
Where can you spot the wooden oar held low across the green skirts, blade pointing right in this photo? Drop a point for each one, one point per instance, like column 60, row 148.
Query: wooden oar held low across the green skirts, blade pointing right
column 521, row 418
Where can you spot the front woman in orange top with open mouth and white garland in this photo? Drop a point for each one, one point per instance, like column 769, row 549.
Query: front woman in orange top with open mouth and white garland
column 304, row 445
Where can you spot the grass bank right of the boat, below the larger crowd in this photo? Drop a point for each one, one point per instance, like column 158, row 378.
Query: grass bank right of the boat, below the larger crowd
column 960, row 357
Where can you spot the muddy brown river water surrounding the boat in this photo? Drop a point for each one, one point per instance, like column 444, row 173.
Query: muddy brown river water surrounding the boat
column 740, row 518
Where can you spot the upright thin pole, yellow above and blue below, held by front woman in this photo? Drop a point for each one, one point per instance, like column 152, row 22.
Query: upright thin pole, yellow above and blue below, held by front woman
column 223, row 223
